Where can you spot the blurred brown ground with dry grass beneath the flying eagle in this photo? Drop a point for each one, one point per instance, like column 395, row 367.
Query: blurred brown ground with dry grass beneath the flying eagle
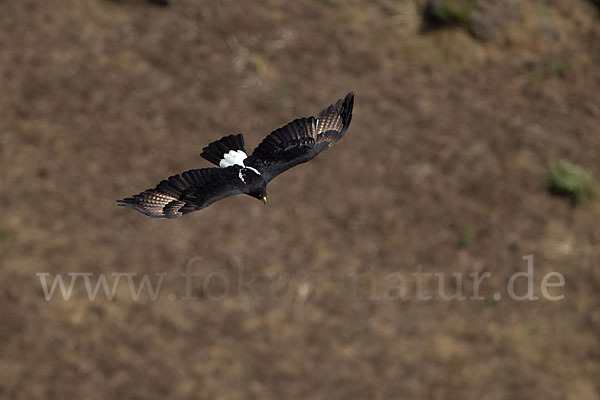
column 442, row 167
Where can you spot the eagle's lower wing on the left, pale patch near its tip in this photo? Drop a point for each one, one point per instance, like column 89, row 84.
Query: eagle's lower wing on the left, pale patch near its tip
column 190, row 191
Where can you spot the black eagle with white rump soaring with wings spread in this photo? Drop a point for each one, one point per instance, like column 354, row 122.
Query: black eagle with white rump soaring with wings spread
column 295, row 143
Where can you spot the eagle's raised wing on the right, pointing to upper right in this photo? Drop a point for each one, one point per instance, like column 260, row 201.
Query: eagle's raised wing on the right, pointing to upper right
column 302, row 139
